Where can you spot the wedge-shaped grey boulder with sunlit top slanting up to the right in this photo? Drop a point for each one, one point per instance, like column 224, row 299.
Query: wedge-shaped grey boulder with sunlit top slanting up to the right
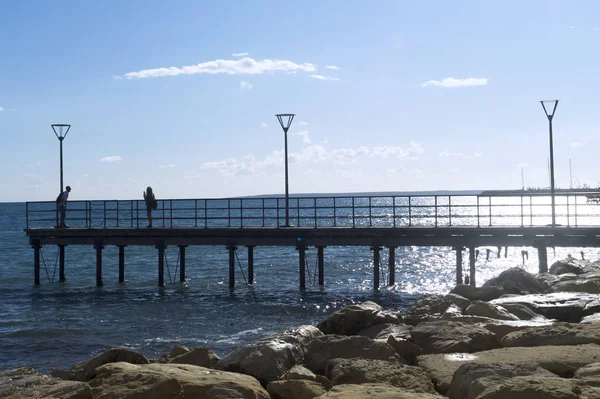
column 269, row 358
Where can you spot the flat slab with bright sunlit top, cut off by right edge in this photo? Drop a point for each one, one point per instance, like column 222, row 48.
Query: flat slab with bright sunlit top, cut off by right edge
column 562, row 306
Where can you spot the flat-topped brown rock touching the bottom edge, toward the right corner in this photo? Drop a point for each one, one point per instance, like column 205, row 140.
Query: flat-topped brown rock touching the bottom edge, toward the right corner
column 471, row 379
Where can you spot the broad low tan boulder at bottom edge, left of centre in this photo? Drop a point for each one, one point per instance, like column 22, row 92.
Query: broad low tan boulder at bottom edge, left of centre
column 170, row 381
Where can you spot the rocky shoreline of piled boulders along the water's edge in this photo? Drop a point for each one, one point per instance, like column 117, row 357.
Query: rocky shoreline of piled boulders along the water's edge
column 517, row 336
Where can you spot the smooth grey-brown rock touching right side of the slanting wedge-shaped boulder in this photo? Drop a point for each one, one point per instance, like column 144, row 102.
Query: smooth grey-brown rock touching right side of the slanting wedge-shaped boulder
column 325, row 348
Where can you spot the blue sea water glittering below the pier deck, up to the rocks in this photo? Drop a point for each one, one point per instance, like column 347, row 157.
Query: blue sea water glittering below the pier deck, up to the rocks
column 56, row 325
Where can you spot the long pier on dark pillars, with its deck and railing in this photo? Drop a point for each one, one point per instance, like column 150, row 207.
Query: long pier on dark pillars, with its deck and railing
column 374, row 222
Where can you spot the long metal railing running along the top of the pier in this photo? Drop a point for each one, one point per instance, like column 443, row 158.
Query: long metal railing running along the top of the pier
column 572, row 210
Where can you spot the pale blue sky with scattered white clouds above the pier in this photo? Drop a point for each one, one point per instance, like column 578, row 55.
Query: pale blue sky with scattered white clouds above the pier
column 388, row 96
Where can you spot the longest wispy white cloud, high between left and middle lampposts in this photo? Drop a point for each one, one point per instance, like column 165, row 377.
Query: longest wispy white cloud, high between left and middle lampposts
column 243, row 66
